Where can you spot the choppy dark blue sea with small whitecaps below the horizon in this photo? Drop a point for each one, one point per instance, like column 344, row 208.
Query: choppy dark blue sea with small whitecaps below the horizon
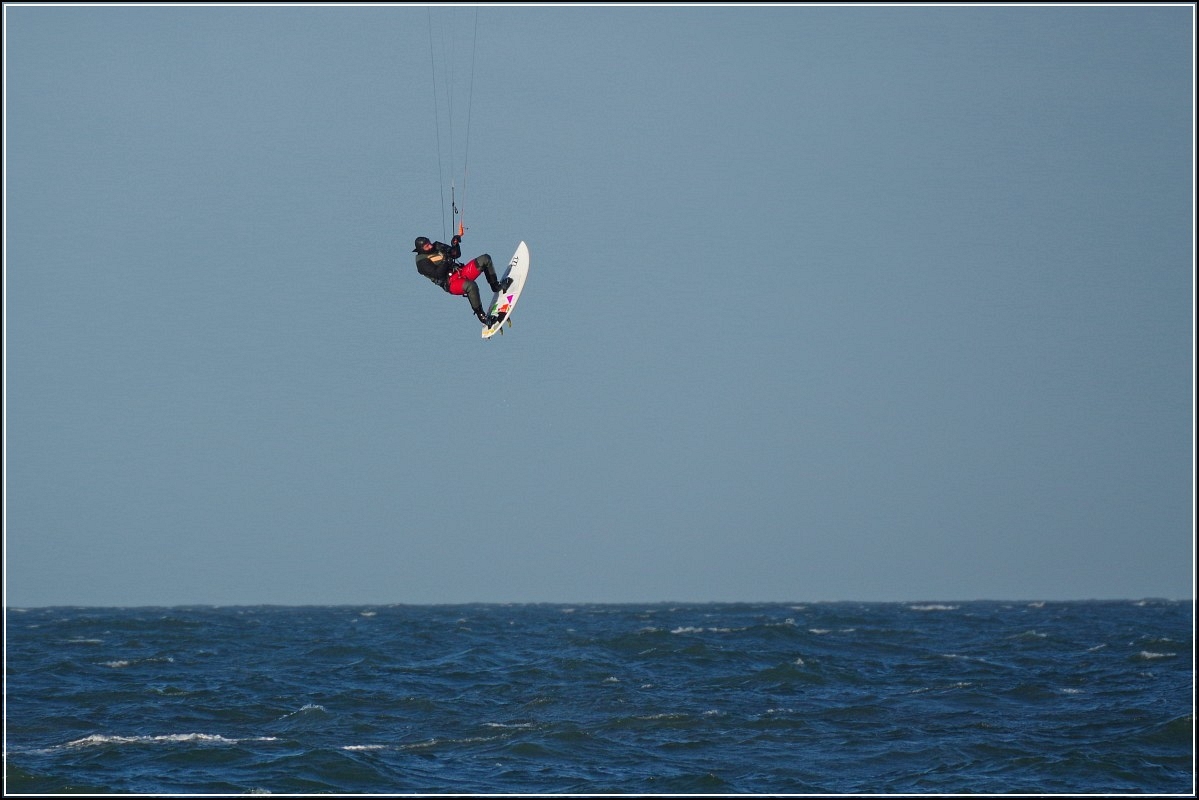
column 822, row 699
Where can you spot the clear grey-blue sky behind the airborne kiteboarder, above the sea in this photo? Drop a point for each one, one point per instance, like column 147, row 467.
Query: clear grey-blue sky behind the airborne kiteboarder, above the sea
column 826, row 303
